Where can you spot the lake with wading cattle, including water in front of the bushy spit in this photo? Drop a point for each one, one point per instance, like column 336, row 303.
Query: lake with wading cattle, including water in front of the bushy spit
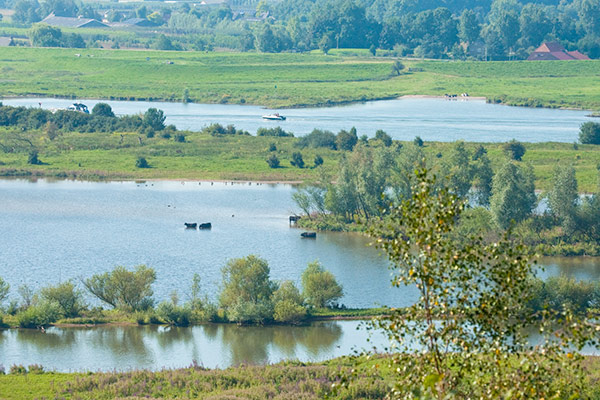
column 55, row 231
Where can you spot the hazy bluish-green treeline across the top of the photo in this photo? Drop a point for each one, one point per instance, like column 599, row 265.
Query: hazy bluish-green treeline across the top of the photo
column 488, row 29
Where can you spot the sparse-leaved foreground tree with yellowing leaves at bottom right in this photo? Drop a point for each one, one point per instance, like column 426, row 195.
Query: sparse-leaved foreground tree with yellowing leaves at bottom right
column 466, row 335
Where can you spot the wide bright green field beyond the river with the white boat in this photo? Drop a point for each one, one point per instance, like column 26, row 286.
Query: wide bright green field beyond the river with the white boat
column 285, row 80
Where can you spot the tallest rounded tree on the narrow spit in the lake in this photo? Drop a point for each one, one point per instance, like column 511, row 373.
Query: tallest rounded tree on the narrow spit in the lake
column 247, row 290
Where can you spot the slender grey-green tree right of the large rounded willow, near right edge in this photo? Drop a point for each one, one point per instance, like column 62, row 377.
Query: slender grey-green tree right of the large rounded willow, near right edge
column 564, row 196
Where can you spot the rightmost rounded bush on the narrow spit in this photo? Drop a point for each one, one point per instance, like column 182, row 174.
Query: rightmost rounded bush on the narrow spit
column 319, row 287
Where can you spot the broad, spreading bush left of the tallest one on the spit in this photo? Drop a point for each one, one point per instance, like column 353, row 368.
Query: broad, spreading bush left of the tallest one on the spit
column 122, row 288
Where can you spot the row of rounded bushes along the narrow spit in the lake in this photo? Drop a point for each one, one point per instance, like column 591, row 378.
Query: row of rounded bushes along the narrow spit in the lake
column 248, row 296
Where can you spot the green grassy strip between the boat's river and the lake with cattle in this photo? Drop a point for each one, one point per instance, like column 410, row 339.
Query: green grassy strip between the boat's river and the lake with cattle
column 233, row 157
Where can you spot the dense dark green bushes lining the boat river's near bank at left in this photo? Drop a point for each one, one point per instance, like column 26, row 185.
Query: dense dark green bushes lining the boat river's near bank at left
column 101, row 119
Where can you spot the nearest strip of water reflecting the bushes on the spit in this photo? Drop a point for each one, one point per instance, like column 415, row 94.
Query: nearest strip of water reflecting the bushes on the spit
column 155, row 347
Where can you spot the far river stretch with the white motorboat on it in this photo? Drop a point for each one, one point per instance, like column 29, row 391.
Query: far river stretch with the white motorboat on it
column 403, row 119
